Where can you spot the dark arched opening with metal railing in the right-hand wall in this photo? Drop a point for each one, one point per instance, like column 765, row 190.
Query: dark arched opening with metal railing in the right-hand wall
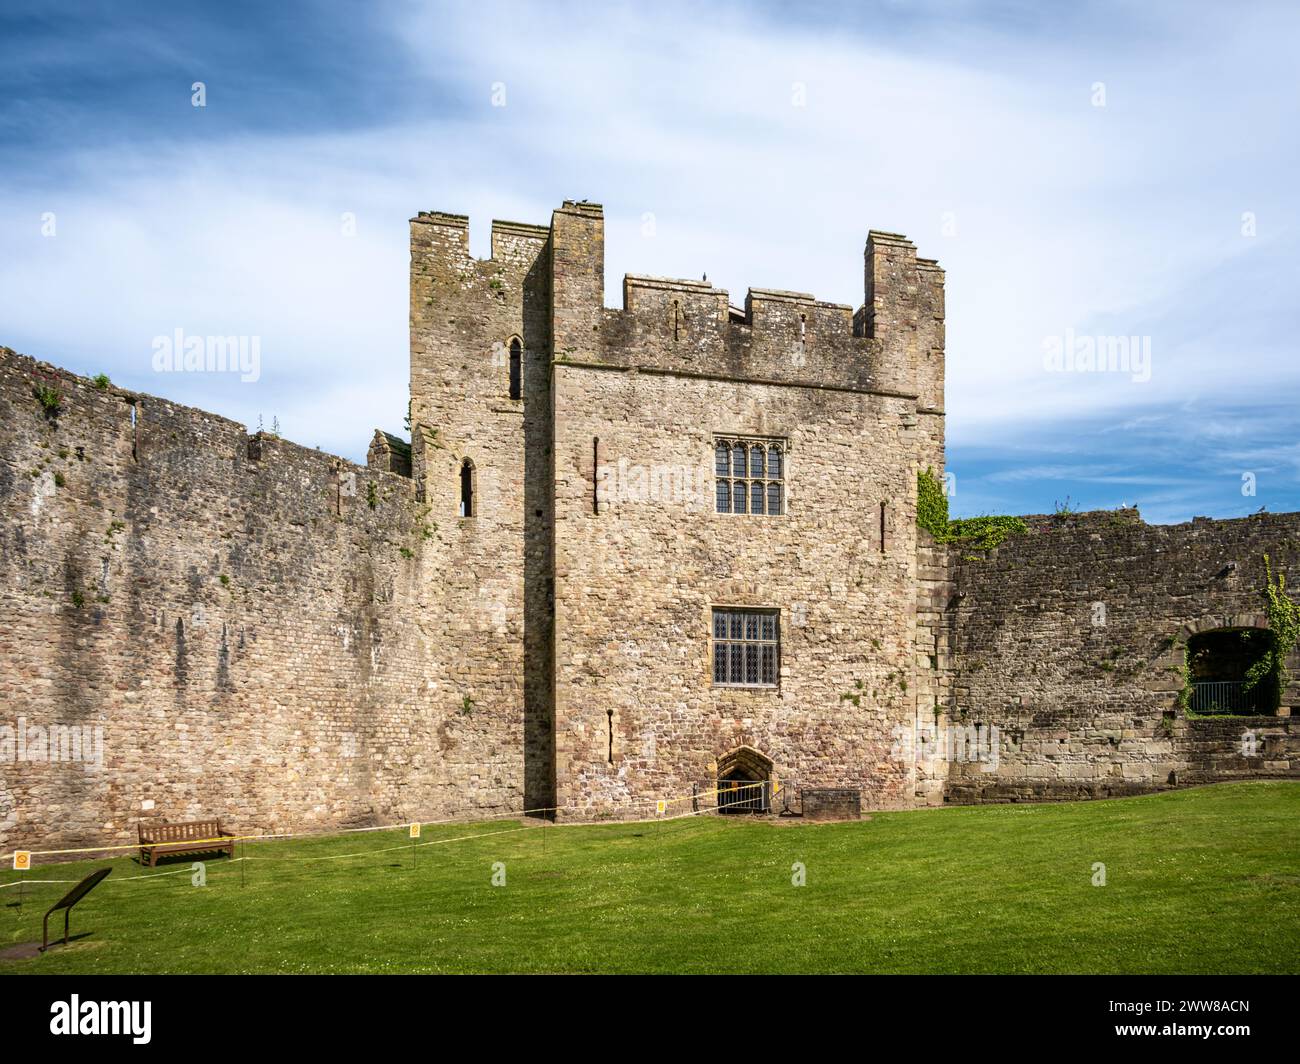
column 1228, row 672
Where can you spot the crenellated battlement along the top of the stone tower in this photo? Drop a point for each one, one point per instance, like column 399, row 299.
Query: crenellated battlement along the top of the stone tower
column 892, row 344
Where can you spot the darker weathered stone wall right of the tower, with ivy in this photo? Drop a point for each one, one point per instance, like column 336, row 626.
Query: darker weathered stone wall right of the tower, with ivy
column 1071, row 642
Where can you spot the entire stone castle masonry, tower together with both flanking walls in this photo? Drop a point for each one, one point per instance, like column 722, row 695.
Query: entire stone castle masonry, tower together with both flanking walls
column 287, row 641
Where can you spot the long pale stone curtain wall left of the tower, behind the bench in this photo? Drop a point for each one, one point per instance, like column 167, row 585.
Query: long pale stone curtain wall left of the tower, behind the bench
column 233, row 616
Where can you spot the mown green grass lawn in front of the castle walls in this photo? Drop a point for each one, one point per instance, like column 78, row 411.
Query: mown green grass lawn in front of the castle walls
column 1197, row 881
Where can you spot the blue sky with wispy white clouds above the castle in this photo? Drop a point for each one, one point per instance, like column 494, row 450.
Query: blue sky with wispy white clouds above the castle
column 1089, row 171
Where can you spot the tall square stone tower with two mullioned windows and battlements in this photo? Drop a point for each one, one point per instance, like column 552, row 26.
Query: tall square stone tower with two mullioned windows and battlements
column 575, row 453
